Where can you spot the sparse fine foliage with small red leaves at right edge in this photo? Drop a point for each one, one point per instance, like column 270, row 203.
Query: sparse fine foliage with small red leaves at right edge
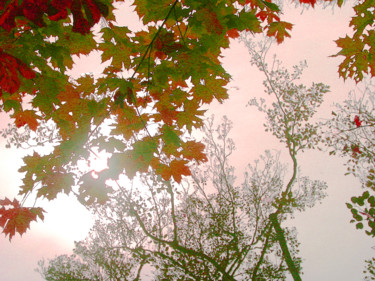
column 350, row 130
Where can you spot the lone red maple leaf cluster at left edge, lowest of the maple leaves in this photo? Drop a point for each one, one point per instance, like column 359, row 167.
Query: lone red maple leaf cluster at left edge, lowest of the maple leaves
column 15, row 218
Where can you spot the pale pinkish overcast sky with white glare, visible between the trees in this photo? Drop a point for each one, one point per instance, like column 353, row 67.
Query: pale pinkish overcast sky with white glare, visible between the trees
column 331, row 247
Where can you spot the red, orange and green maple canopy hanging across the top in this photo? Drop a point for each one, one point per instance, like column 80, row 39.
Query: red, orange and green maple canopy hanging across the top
column 150, row 94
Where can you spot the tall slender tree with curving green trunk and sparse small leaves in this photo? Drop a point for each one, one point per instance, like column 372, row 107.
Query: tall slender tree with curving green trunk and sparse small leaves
column 289, row 120
